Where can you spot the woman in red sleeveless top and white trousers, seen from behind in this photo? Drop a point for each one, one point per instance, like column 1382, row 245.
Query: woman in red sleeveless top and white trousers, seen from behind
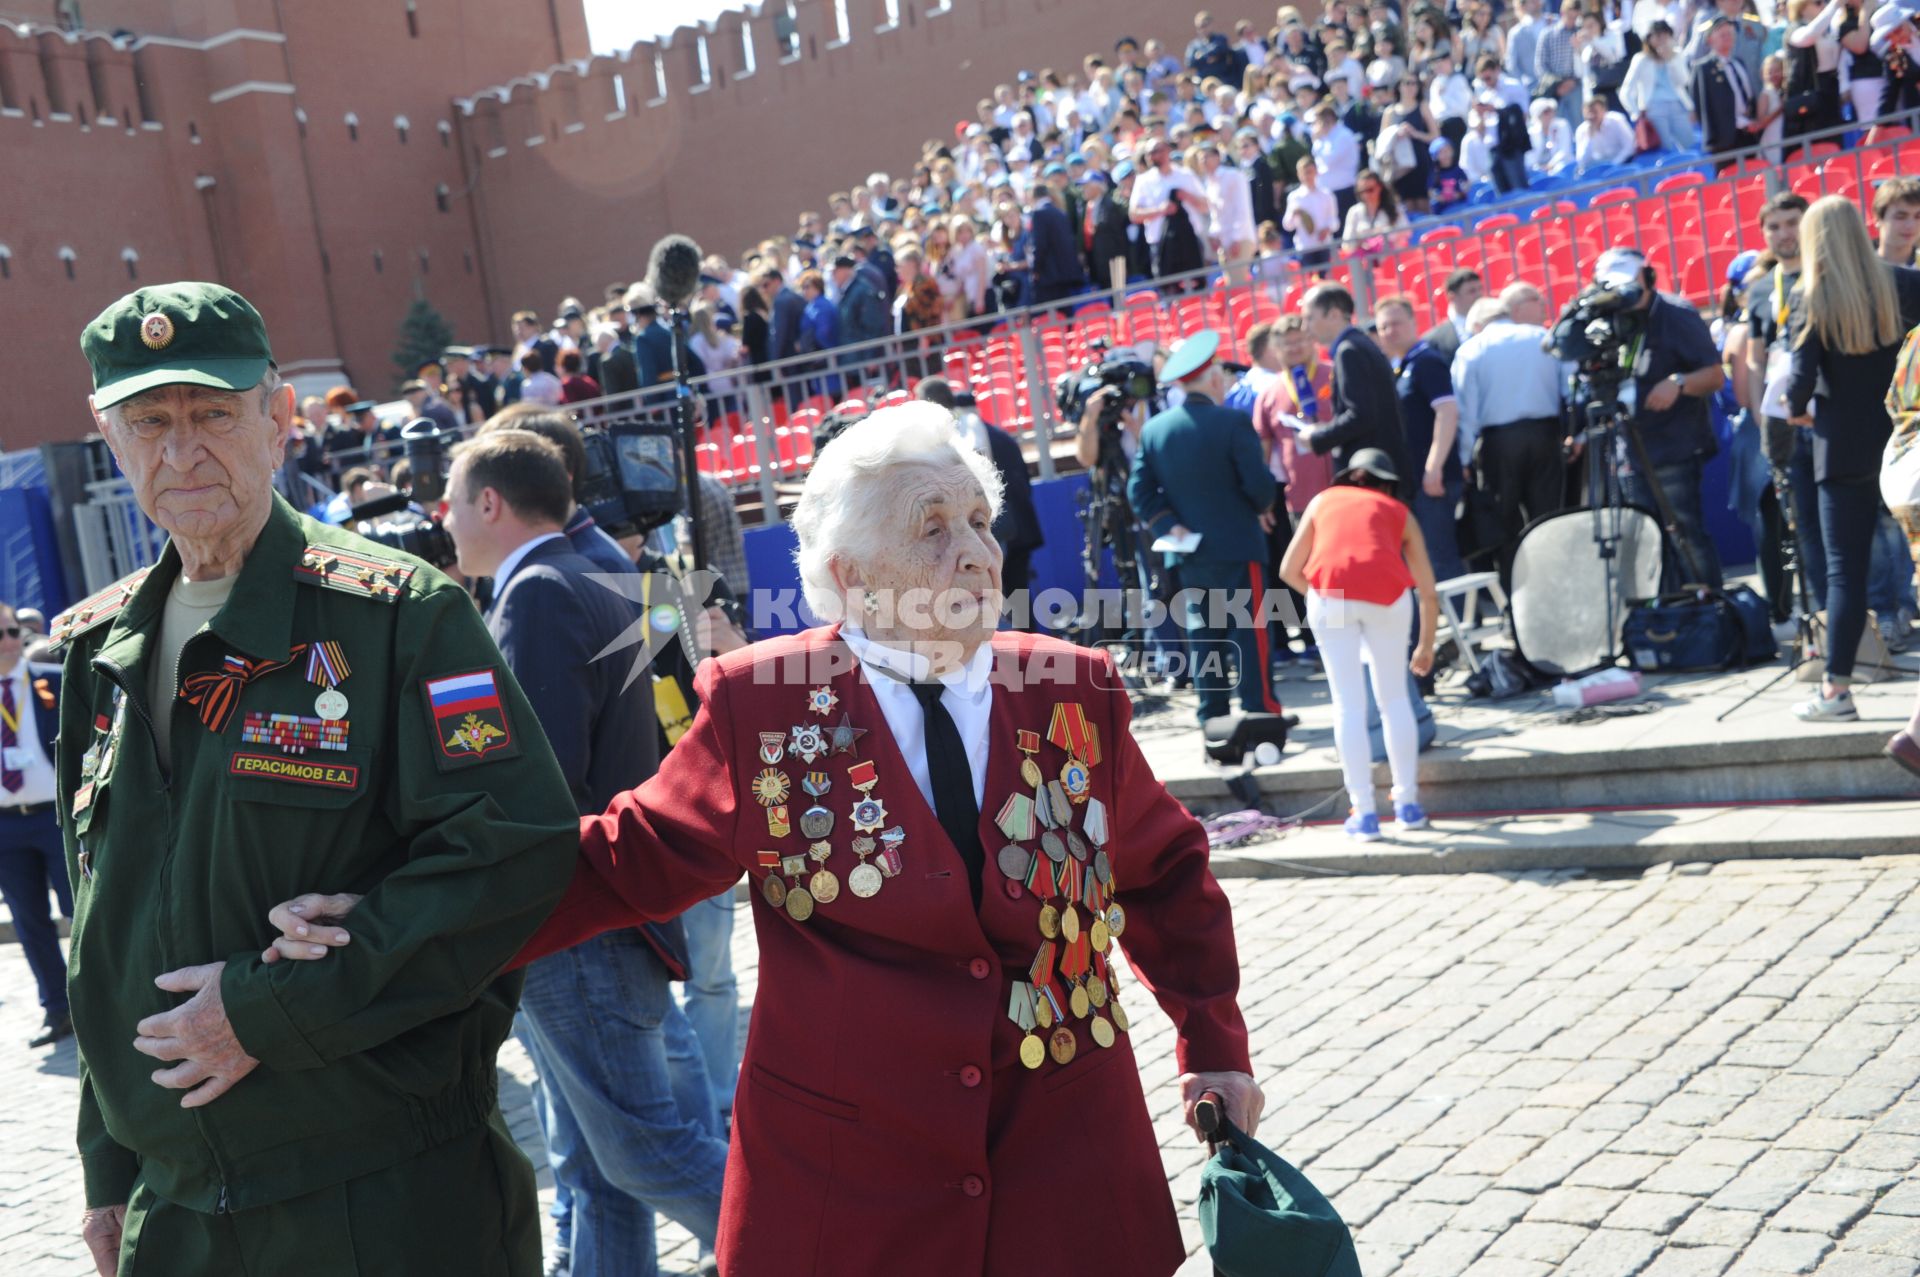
column 1355, row 556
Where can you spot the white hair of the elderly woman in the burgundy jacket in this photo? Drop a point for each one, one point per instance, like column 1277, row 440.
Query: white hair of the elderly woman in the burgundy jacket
column 844, row 506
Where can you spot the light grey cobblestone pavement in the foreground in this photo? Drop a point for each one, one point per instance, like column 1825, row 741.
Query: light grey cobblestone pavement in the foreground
column 1702, row 1071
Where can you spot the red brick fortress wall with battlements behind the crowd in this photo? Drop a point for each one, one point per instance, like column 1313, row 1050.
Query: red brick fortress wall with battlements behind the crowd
column 279, row 201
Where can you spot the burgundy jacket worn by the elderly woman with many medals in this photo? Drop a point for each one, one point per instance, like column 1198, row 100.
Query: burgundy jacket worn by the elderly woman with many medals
column 886, row 1122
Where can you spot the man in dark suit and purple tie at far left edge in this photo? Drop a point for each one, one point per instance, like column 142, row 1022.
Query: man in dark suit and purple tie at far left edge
column 34, row 861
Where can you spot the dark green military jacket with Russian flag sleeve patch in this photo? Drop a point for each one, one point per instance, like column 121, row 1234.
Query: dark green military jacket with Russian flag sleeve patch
column 345, row 725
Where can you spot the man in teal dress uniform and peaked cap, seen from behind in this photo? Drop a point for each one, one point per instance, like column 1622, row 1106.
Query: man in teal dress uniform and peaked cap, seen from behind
column 1199, row 470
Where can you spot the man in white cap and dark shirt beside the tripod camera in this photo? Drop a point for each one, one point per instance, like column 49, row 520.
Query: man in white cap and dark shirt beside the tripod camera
column 1677, row 370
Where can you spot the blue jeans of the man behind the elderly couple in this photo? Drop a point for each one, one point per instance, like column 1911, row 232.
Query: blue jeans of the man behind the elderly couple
column 627, row 1109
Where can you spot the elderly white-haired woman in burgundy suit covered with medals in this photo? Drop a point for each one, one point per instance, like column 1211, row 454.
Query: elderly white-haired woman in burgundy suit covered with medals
column 949, row 834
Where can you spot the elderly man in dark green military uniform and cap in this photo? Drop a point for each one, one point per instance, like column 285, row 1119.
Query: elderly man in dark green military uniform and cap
column 279, row 704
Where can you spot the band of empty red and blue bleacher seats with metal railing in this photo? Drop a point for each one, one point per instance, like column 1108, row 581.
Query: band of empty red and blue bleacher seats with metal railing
column 1687, row 216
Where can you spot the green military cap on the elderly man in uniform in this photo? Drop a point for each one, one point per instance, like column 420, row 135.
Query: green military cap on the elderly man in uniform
column 195, row 335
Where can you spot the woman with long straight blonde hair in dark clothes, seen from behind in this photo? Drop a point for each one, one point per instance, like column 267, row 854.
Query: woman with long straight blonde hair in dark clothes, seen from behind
column 1858, row 314
